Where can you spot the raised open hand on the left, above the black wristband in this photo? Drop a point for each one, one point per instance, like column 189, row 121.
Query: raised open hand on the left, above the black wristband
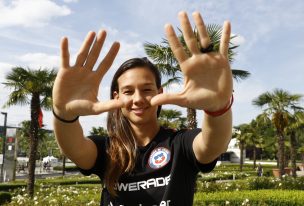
column 76, row 87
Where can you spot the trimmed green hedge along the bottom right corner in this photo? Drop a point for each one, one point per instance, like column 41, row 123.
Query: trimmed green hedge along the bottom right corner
column 252, row 197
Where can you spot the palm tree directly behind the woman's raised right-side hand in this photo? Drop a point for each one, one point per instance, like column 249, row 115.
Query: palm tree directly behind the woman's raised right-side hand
column 163, row 57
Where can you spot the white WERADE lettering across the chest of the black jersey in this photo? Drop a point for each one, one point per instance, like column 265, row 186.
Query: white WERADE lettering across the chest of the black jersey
column 143, row 185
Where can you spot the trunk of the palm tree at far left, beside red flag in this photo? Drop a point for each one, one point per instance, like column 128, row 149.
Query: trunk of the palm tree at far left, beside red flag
column 35, row 104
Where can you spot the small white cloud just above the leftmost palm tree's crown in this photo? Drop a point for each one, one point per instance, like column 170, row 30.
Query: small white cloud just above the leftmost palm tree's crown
column 39, row 60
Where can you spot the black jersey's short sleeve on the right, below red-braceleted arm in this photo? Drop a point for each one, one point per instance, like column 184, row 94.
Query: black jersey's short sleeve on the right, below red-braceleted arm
column 187, row 138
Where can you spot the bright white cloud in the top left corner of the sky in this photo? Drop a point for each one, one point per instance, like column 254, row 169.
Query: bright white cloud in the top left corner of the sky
column 30, row 13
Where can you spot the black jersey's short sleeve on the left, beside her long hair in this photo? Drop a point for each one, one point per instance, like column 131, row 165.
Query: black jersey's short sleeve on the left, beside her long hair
column 100, row 163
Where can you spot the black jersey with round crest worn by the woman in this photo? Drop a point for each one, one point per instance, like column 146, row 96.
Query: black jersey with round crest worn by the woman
column 164, row 174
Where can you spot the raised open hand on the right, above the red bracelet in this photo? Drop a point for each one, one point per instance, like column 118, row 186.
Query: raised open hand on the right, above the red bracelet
column 207, row 76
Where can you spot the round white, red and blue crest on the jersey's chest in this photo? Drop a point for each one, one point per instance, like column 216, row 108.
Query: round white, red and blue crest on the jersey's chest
column 159, row 157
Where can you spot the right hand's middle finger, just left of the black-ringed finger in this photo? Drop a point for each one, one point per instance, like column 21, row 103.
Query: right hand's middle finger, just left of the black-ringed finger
column 188, row 34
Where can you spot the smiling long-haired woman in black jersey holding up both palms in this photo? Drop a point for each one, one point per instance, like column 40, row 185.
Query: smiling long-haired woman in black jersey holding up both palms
column 141, row 163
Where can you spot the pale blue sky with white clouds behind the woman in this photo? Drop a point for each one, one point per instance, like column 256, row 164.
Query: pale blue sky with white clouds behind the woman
column 269, row 35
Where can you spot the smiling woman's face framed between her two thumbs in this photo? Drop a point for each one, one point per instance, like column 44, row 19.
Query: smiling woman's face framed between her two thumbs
column 136, row 87
